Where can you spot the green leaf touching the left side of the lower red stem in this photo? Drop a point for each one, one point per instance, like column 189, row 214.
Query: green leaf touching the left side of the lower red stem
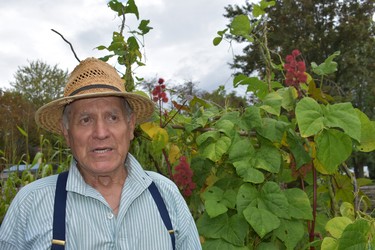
column 299, row 204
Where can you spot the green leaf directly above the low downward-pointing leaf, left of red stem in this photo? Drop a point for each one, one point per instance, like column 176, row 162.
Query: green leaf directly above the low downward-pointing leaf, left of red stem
column 274, row 200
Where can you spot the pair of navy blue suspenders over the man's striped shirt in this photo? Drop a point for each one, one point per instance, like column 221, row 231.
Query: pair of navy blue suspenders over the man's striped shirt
column 58, row 241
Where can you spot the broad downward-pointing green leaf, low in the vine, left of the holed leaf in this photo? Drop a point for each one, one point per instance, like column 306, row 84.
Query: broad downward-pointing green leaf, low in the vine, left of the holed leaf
column 261, row 220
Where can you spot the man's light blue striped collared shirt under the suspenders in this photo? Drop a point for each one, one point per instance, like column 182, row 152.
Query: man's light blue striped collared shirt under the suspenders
column 90, row 223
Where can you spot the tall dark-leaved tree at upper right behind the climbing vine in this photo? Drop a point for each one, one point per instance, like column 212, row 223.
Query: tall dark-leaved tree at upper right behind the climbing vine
column 318, row 29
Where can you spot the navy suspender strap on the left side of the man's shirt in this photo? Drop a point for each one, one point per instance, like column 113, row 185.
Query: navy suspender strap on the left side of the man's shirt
column 58, row 241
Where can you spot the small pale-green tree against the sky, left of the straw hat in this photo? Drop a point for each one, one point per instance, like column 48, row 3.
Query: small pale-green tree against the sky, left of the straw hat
column 40, row 82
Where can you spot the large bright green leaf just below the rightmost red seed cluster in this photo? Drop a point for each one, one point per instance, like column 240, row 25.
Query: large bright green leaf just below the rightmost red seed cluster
column 309, row 116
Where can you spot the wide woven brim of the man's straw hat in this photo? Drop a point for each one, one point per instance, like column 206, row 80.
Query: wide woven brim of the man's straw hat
column 49, row 116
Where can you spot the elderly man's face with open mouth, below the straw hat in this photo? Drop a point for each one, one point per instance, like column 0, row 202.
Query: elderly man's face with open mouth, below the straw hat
column 99, row 134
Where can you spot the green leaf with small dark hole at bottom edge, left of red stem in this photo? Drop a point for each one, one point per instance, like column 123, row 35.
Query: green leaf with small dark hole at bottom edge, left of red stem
column 290, row 232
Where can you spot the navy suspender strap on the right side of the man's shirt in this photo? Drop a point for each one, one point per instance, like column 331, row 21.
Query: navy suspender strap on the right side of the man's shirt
column 163, row 211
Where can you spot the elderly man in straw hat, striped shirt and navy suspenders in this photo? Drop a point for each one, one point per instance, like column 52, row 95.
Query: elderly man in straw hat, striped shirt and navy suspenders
column 106, row 200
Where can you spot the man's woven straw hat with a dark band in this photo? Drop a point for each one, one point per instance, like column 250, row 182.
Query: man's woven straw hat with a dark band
column 91, row 78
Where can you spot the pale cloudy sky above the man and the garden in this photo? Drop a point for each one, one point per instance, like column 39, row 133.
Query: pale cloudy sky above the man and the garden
column 178, row 48
